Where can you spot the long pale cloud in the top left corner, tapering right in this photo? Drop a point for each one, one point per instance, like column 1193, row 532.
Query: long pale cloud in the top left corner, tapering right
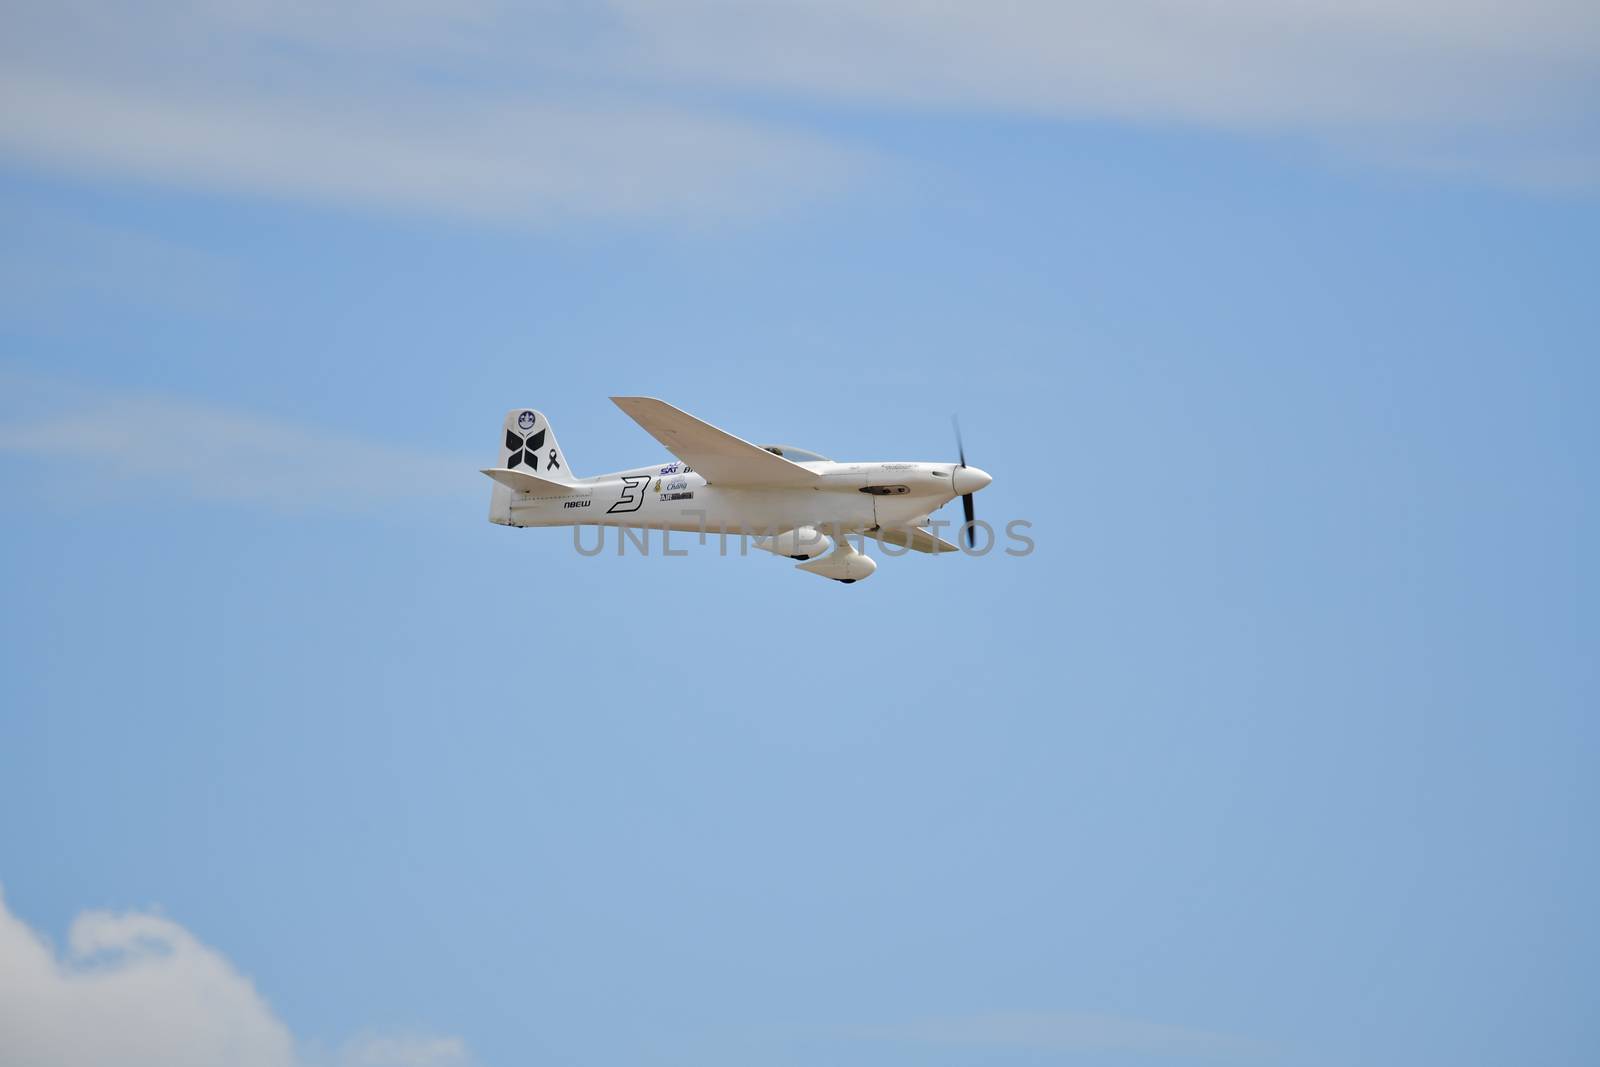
column 454, row 110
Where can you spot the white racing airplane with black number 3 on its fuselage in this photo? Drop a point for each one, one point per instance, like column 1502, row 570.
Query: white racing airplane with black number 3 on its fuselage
column 724, row 486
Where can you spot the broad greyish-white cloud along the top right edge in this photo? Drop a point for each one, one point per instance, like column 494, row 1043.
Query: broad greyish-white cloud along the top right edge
column 1244, row 63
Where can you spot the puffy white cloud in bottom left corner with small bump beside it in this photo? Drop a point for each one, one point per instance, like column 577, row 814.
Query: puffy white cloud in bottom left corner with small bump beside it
column 140, row 991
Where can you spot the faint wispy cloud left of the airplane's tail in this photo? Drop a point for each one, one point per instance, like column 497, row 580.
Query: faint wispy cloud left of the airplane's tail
column 207, row 452
